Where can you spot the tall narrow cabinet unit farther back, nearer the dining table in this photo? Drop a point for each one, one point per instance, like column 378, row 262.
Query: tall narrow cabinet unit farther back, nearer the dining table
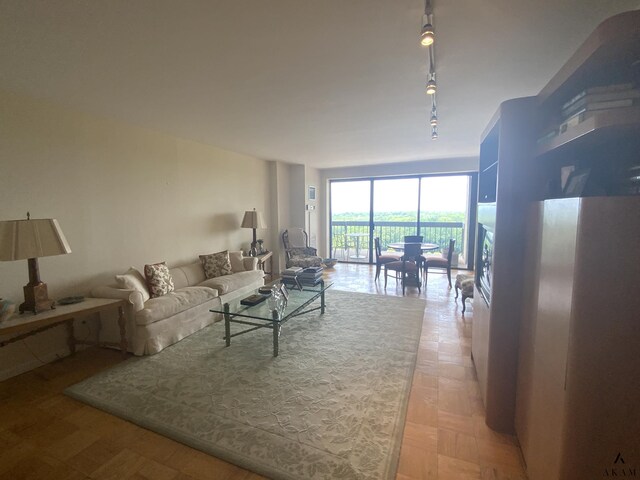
column 504, row 190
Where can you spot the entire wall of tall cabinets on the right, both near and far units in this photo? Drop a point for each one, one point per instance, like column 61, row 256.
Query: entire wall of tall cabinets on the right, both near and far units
column 571, row 330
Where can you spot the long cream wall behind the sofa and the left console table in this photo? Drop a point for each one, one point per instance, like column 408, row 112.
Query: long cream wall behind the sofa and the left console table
column 123, row 196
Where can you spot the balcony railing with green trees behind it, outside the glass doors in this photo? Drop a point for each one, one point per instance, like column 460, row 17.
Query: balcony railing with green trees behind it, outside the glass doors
column 350, row 240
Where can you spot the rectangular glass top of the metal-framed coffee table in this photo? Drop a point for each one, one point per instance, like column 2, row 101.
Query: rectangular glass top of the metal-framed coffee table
column 298, row 300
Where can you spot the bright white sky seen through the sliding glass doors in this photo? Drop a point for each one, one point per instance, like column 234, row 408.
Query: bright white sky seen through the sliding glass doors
column 396, row 195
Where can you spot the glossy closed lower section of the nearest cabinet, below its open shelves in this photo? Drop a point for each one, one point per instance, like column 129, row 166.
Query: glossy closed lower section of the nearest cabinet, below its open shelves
column 579, row 374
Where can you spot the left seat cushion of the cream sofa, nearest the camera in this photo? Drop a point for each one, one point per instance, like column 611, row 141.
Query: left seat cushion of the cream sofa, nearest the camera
column 159, row 308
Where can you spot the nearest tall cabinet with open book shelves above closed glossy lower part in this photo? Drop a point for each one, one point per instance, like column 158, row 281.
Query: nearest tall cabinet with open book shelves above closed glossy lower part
column 578, row 378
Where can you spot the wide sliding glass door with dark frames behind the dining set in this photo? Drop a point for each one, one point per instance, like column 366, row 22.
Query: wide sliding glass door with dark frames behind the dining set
column 437, row 207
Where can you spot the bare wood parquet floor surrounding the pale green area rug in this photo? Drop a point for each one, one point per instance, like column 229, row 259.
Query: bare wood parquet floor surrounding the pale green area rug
column 45, row 435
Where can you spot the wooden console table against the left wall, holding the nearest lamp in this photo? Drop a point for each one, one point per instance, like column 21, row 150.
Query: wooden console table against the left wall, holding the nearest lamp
column 27, row 324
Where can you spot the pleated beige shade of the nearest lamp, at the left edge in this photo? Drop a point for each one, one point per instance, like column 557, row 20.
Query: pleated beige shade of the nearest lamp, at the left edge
column 23, row 239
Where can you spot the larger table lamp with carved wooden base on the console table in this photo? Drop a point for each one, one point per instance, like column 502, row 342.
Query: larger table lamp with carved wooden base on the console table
column 30, row 239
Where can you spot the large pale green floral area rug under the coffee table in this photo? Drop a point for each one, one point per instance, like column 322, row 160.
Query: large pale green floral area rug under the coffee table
column 331, row 406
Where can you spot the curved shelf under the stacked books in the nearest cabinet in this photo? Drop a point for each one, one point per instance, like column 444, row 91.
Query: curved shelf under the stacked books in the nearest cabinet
column 601, row 127
